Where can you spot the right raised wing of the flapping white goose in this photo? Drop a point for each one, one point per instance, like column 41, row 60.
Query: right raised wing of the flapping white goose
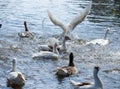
column 80, row 17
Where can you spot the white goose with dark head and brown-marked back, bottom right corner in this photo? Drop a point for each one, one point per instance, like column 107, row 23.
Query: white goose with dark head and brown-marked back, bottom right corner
column 86, row 85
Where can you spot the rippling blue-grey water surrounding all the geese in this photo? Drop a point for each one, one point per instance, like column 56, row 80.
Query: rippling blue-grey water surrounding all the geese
column 40, row 74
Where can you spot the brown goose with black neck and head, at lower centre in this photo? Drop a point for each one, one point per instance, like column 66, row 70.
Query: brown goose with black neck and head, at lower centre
column 67, row 70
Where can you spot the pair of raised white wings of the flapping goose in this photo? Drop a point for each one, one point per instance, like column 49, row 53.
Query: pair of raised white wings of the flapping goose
column 71, row 26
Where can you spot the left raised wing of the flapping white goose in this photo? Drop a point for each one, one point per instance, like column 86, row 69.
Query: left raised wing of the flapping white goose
column 55, row 21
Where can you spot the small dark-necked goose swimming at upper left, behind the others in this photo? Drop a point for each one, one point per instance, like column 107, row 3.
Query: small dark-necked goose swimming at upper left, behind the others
column 27, row 33
